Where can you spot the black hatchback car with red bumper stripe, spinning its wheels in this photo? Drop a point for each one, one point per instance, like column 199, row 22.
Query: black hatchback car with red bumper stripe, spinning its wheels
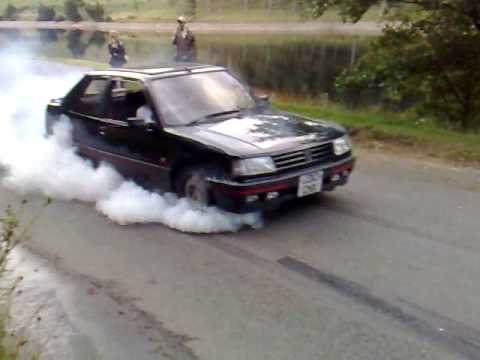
column 199, row 131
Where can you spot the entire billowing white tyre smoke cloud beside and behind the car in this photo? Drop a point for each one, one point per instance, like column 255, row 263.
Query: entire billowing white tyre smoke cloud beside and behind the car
column 35, row 164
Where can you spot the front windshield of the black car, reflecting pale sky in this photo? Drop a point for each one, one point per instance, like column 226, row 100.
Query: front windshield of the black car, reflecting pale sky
column 192, row 98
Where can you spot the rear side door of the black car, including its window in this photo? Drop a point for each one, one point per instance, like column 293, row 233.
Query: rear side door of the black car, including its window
column 87, row 111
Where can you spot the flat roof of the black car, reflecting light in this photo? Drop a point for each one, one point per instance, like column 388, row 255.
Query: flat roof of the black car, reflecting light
column 147, row 73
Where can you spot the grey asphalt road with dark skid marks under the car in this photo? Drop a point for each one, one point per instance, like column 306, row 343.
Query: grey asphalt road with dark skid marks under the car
column 385, row 268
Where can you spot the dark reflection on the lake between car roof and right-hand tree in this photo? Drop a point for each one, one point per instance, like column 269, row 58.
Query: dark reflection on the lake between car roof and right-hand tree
column 303, row 68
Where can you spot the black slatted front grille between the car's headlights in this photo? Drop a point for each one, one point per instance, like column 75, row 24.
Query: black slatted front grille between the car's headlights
column 315, row 155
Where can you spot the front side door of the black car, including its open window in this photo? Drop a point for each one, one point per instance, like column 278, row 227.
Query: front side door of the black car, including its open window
column 139, row 151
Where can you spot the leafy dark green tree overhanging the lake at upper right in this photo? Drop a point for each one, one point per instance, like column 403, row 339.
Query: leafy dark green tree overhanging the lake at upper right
column 430, row 53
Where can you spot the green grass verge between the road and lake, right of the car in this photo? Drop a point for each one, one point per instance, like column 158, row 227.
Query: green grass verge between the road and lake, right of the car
column 397, row 132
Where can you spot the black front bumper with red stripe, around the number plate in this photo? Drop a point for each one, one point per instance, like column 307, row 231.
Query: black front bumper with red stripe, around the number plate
column 244, row 197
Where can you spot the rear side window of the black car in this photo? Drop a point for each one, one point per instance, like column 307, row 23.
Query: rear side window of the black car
column 92, row 101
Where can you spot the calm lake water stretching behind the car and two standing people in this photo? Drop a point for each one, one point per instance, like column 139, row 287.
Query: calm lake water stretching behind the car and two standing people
column 298, row 66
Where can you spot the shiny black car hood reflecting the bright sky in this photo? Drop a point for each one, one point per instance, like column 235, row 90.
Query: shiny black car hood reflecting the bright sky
column 259, row 134
